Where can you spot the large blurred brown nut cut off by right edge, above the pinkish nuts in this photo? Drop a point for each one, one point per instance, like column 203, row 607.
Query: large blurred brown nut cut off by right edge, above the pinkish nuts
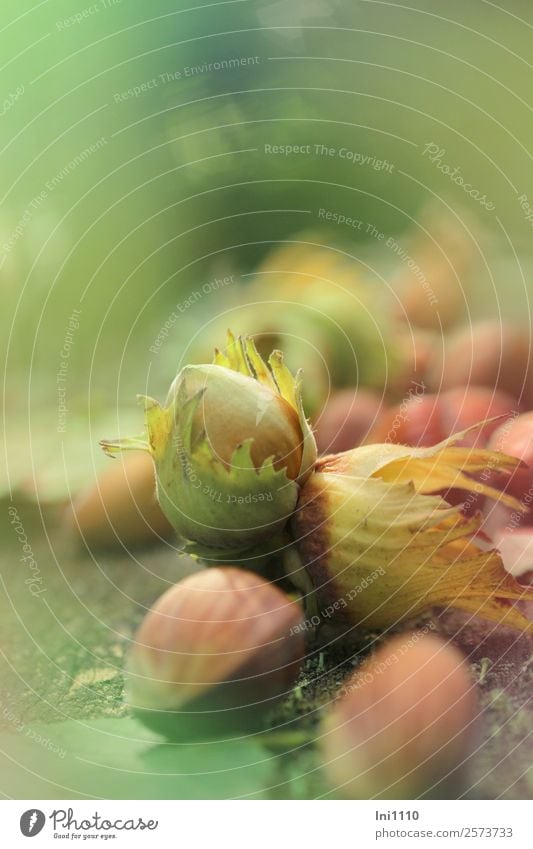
column 487, row 354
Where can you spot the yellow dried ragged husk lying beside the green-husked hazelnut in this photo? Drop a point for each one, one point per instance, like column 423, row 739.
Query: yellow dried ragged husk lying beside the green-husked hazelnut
column 373, row 512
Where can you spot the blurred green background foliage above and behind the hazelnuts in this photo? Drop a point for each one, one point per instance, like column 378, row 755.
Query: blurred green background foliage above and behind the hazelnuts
column 177, row 188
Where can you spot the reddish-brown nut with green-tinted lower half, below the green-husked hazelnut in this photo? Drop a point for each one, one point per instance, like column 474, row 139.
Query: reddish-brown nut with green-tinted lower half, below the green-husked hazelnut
column 214, row 654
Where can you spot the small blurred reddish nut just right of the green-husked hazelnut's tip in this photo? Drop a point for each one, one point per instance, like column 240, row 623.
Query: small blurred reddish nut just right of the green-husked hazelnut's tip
column 346, row 420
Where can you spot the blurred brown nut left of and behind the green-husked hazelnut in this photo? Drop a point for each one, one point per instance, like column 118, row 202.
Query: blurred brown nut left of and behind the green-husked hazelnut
column 121, row 507
